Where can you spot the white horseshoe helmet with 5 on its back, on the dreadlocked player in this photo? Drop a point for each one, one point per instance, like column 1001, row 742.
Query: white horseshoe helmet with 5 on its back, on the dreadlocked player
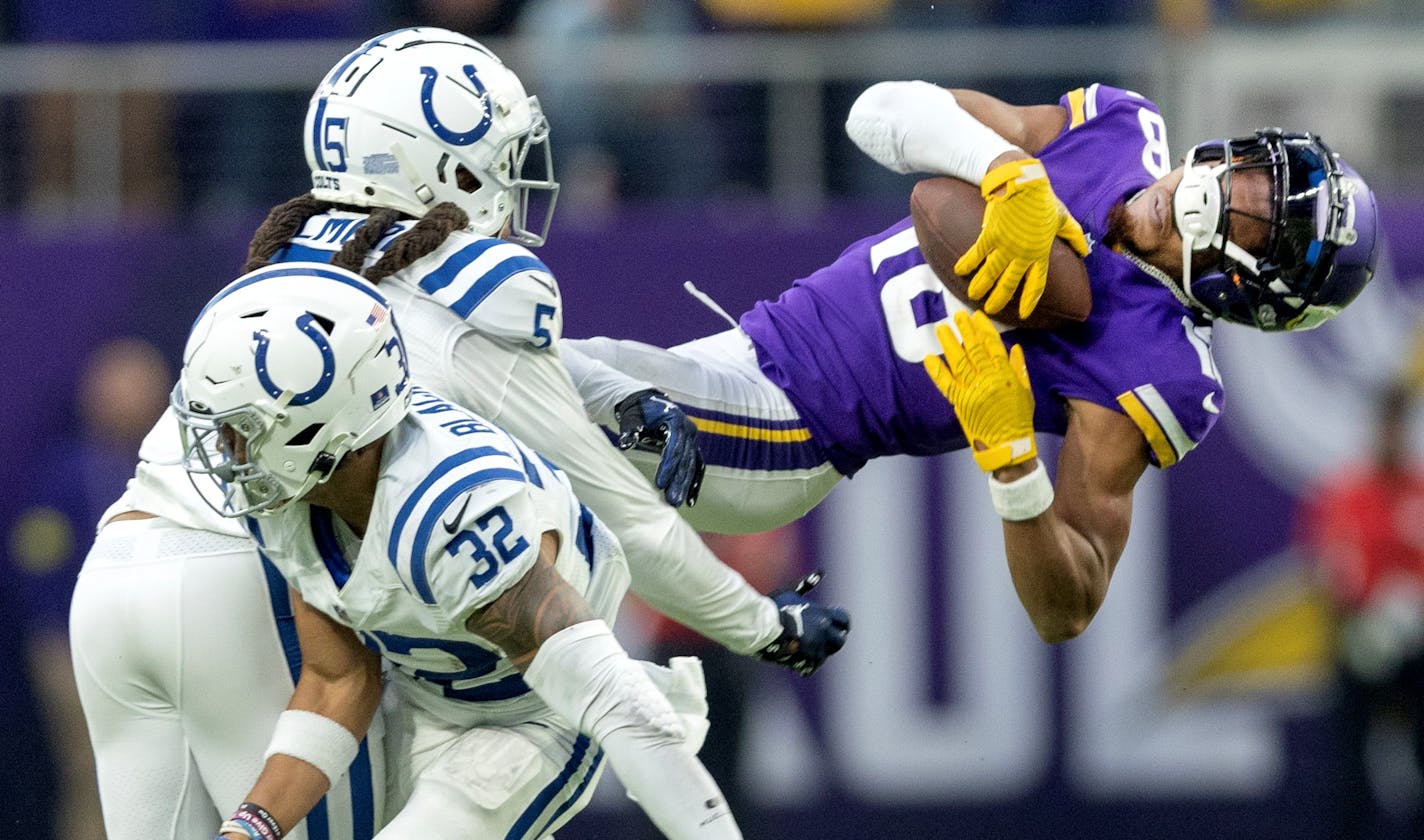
column 422, row 116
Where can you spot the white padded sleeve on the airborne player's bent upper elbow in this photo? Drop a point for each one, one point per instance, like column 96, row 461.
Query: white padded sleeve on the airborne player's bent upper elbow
column 921, row 127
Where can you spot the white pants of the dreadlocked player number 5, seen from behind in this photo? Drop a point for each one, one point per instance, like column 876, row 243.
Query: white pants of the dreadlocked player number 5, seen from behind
column 183, row 673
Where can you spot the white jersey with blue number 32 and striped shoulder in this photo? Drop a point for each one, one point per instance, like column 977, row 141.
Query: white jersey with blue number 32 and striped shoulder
column 458, row 518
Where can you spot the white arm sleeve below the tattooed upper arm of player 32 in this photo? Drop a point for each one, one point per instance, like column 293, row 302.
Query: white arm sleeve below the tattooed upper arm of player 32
column 587, row 678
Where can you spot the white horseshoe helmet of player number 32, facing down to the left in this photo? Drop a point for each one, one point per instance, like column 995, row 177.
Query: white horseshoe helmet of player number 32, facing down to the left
column 288, row 369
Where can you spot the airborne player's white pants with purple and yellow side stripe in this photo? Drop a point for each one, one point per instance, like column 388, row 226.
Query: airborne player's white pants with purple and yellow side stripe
column 764, row 469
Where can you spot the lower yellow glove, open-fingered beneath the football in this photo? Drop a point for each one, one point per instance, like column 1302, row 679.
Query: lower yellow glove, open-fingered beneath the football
column 989, row 389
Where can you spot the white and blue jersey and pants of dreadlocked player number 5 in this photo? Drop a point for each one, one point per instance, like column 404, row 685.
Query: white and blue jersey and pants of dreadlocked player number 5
column 482, row 320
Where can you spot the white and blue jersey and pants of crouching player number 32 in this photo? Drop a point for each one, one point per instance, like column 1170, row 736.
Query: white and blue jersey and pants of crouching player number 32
column 458, row 518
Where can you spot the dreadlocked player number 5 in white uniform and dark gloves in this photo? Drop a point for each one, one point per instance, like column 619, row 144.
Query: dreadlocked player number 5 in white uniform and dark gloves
column 485, row 320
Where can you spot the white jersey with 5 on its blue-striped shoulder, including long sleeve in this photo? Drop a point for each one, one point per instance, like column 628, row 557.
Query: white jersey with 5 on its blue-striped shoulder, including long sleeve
column 482, row 321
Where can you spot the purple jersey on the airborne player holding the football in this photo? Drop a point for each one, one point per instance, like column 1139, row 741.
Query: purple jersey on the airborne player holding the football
column 859, row 381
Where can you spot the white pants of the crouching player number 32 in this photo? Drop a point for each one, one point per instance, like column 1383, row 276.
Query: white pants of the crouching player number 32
column 515, row 782
